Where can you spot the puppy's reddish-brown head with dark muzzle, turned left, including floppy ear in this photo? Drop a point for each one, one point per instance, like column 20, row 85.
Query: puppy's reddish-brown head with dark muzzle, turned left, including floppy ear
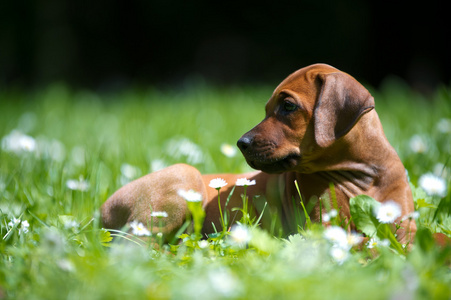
column 308, row 112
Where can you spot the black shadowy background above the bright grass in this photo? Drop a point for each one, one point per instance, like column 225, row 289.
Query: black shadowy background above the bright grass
column 108, row 43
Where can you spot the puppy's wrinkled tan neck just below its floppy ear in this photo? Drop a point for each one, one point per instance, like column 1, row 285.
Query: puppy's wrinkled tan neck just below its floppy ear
column 361, row 159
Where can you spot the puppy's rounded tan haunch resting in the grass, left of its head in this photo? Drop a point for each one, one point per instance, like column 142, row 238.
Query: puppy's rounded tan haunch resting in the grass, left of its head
column 155, row 192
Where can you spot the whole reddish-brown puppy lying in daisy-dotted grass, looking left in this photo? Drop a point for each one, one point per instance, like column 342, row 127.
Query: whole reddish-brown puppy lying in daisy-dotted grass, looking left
column 320, row 129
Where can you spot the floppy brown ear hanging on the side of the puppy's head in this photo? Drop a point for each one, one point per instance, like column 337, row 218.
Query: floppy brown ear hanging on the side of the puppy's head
column 341, row 103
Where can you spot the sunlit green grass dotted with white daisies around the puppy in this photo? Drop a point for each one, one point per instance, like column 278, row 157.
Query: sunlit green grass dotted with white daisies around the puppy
column 100, row 141
